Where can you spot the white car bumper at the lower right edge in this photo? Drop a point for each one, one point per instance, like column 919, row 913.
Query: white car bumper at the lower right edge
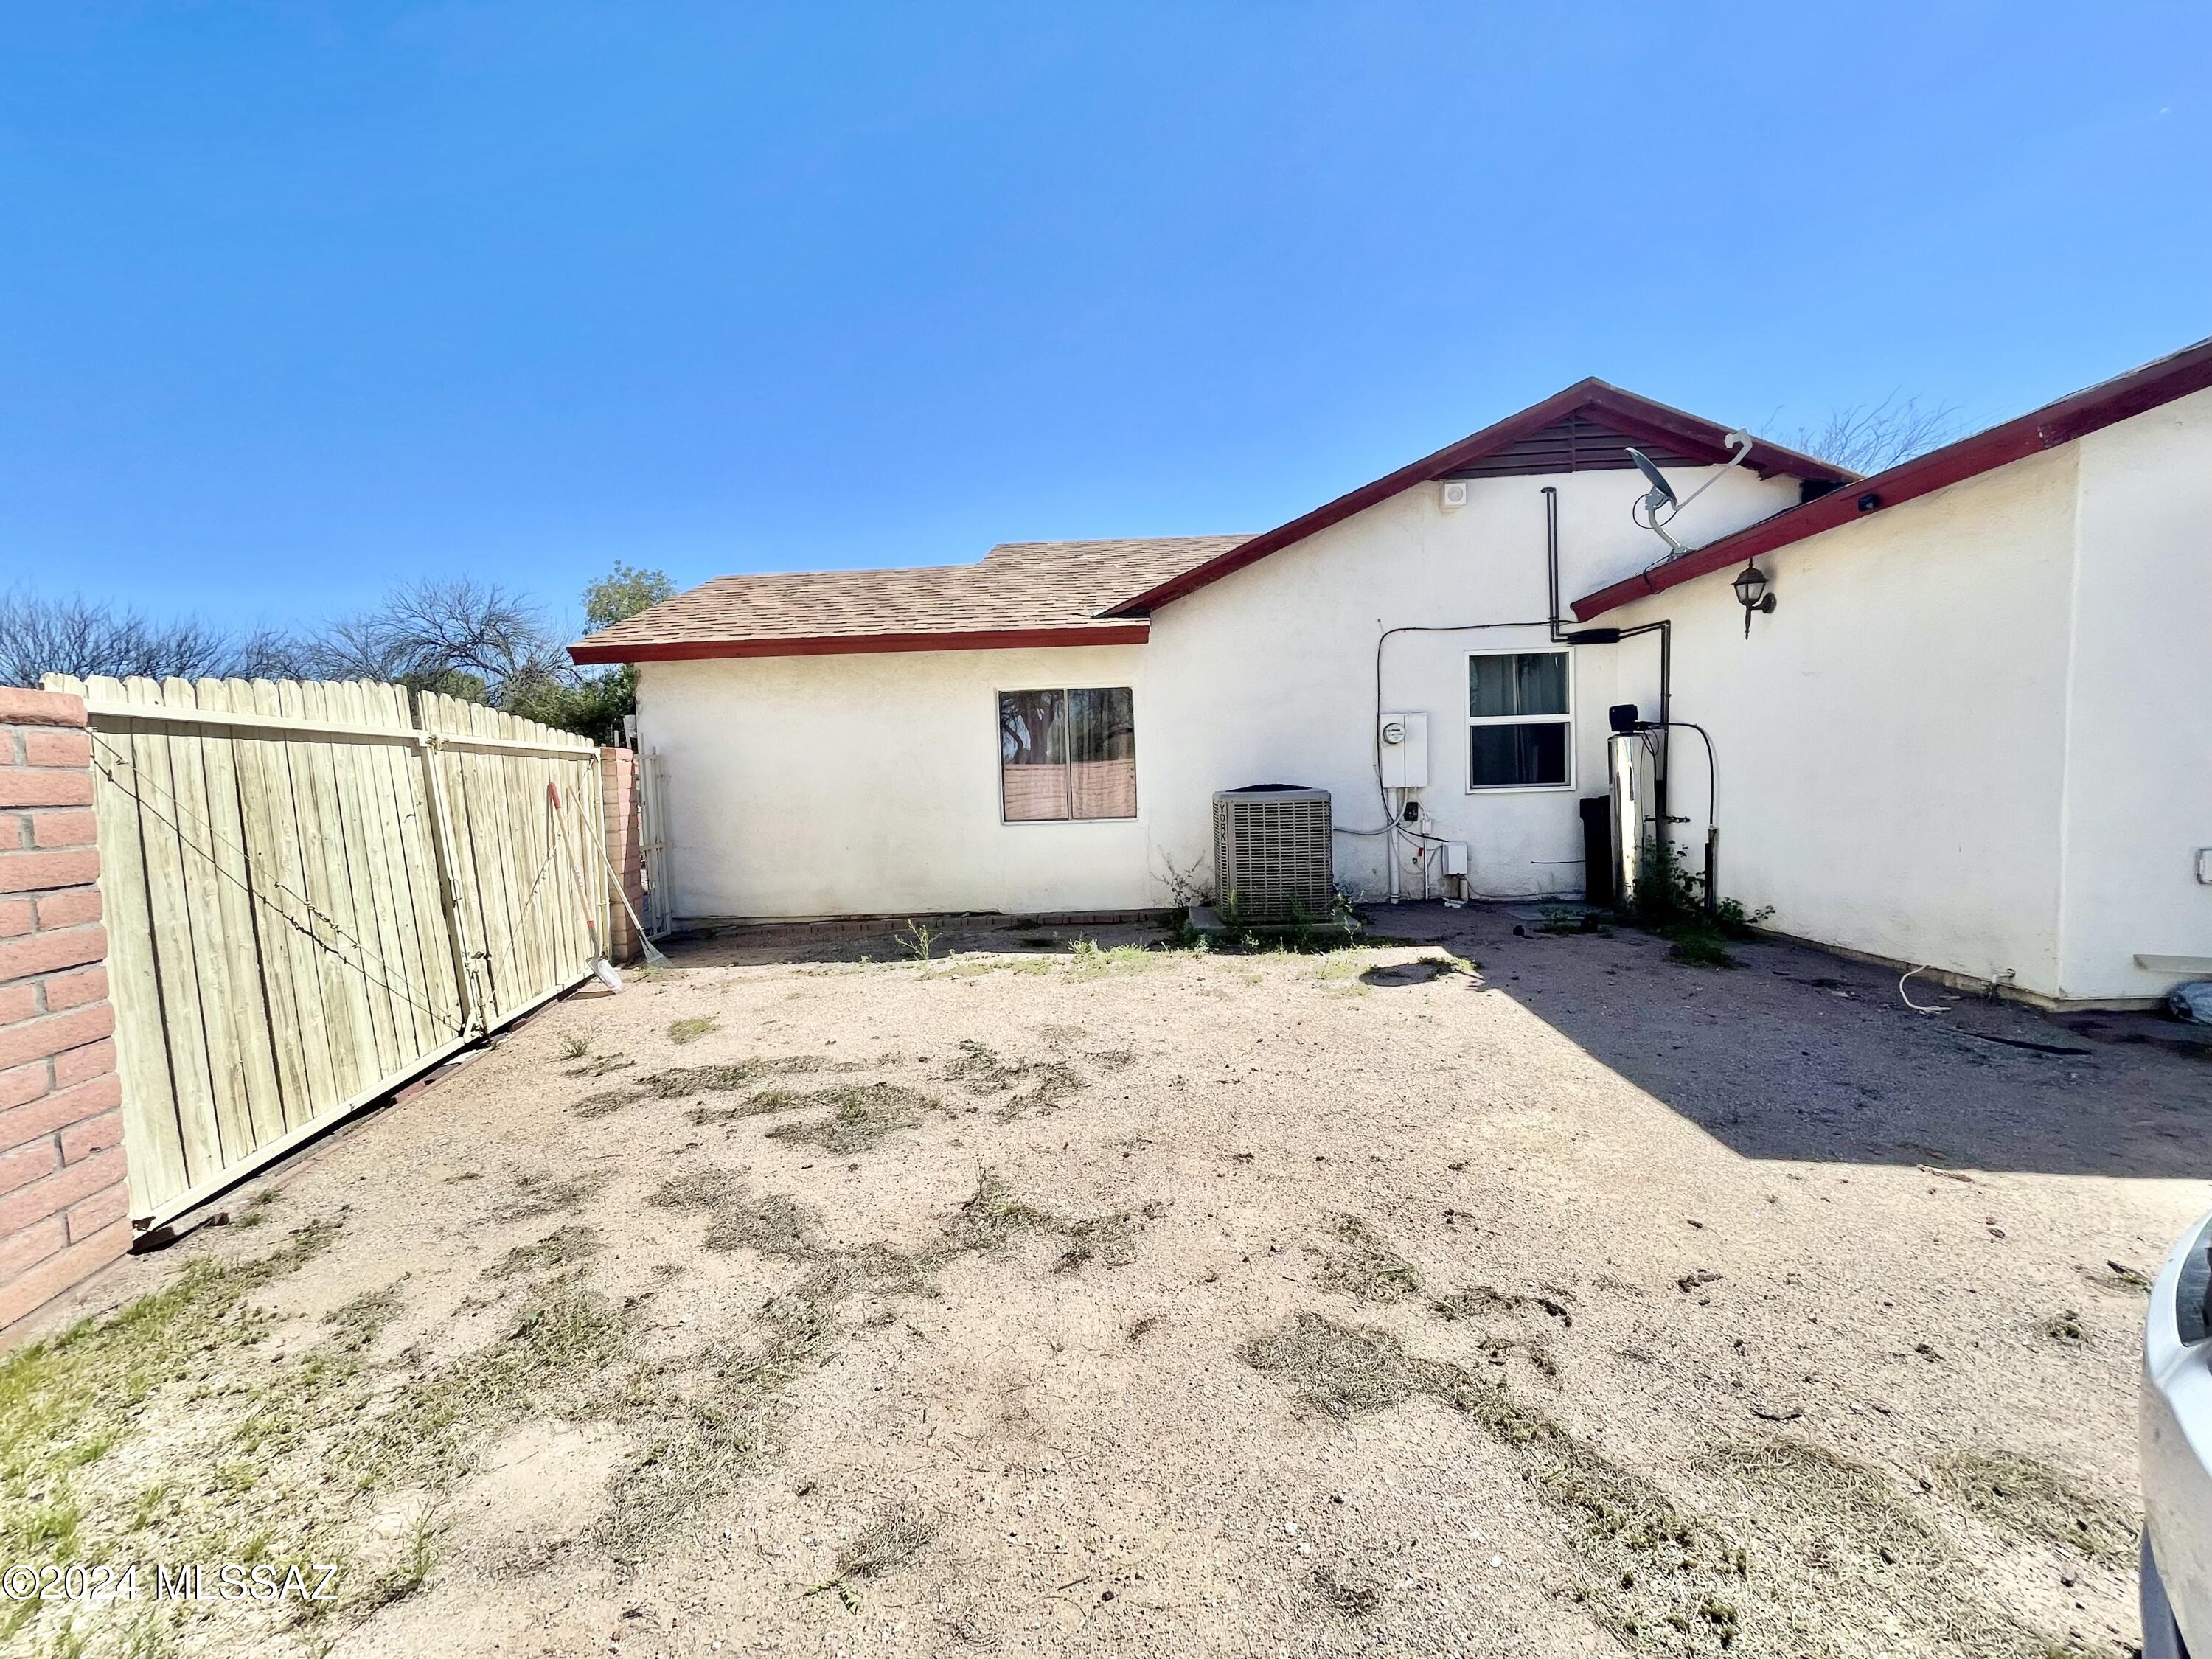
column 2178, row 1454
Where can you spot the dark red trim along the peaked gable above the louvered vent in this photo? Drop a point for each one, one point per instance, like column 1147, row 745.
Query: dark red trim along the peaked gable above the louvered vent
column 1623, row 408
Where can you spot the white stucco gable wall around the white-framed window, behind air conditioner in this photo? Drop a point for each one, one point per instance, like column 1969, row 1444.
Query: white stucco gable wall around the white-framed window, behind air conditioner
column 1277, row 662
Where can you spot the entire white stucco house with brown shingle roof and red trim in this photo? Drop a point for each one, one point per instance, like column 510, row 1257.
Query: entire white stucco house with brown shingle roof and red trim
column 1972, row 733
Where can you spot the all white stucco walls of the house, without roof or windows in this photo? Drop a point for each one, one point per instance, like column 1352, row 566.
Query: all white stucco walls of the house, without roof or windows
column 1970, row 738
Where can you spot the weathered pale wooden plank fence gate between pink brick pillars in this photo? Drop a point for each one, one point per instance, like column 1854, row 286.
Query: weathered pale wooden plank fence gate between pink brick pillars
column 313, row 897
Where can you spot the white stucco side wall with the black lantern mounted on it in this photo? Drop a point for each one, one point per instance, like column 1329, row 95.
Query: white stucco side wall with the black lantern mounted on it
column 1892, row 740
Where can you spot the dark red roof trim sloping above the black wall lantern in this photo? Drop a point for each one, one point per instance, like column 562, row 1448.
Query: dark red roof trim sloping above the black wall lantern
column 2056, row 424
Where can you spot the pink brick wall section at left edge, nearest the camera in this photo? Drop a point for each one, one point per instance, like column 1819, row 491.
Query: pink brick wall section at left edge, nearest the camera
column 63, row 1200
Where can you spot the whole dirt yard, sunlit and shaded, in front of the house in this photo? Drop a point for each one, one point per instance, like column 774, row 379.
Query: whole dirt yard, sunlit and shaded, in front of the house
column 1485, row 1295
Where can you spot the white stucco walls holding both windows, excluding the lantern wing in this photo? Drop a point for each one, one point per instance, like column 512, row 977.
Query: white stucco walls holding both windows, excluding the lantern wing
column 868, row 784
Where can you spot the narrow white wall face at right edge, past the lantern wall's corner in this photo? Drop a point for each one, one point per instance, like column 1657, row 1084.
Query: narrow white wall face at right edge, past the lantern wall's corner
column 2140, row 729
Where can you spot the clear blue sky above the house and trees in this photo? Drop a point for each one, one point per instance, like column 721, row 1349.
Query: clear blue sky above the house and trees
column 304, row 300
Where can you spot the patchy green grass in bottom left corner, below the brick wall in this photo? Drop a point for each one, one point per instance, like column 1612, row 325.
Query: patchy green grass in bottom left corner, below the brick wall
column 249, row 1417
